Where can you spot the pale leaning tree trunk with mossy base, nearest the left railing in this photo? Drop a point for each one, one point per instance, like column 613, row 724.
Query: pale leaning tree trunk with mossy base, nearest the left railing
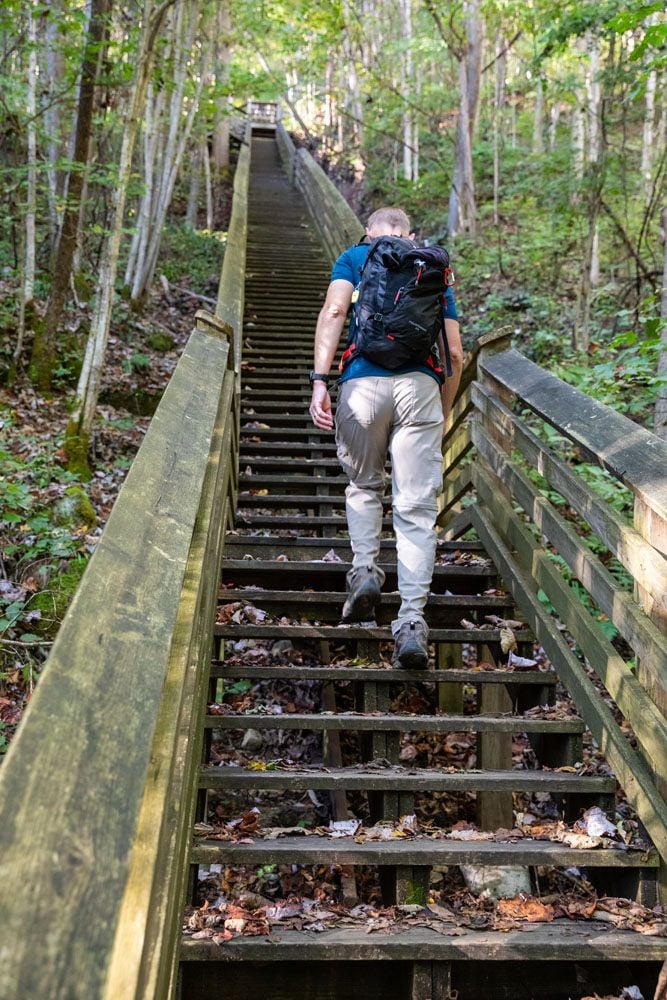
column 80, row 424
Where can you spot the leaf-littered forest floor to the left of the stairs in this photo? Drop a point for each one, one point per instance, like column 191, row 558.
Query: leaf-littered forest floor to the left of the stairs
column 50, row 520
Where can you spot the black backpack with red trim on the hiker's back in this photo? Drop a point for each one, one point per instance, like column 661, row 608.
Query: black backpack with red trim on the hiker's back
column 398, row 312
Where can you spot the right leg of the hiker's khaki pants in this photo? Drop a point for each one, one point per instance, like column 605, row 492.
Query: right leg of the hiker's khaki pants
column 415, row 446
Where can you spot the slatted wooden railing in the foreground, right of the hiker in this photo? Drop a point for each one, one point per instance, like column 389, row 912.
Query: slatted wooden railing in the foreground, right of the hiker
column 522, row 489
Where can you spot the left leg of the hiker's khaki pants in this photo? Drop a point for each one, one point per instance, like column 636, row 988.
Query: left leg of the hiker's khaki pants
column 363, row 426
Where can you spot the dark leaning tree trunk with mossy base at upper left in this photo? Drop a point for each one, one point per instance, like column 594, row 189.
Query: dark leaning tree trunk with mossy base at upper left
column 44, row 345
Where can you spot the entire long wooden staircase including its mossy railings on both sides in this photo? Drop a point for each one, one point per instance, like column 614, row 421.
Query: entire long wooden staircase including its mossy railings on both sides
column 96, row 836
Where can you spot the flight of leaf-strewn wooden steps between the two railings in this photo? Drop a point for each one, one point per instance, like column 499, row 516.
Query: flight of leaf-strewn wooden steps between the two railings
column 287, row 556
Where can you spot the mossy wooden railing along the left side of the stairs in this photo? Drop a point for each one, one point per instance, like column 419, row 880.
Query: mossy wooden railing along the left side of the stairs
column 97, row 791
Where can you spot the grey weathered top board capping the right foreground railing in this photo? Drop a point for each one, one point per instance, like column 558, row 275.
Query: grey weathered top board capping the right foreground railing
column 632, row 454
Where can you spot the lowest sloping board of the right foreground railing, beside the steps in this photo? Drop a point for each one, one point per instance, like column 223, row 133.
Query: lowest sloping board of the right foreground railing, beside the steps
column 632, row 772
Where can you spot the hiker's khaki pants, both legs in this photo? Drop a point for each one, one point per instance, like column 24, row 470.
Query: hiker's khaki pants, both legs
column 401, row 414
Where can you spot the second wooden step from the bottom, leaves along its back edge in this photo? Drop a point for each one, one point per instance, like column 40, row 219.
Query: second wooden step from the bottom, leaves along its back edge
column 316, row 850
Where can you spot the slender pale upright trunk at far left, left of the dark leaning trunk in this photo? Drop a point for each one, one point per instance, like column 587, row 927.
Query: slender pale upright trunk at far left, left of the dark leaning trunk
column 27, row 309
